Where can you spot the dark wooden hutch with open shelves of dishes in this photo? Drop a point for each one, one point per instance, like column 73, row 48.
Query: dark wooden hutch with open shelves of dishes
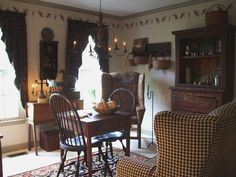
column 204, row 69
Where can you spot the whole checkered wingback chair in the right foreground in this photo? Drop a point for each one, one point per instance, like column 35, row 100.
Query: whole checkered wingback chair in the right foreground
column 190, row 146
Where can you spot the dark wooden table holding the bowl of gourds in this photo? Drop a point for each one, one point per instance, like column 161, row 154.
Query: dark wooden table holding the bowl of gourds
column 99, row 124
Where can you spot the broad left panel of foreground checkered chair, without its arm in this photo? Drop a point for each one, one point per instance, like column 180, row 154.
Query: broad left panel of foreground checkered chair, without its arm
column 184, row 143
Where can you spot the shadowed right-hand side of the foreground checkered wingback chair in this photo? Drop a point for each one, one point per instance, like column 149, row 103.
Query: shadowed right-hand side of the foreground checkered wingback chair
column 222, row 160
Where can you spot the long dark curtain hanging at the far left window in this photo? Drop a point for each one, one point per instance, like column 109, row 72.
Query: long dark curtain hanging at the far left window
column 13, row 25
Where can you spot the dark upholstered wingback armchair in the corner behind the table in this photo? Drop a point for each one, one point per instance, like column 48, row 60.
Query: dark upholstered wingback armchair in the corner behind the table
column 135, row 83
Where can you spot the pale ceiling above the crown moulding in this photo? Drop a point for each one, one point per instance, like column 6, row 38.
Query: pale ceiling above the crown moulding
column 124, row 8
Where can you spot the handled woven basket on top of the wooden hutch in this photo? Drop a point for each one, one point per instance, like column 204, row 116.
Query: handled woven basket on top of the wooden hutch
column 216, row 17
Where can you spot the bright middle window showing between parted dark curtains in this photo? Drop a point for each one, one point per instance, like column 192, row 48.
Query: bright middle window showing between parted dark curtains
column 89, row 79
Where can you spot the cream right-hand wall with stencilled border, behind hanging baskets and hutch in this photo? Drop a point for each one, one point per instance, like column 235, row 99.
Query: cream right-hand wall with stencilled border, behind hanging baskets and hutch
column 147, row 26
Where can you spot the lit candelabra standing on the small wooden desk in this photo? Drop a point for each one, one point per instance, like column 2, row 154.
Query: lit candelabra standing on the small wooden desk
column 42, row 94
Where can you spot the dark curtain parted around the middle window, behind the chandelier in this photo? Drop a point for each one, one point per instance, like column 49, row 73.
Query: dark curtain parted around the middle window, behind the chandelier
column 79, row 31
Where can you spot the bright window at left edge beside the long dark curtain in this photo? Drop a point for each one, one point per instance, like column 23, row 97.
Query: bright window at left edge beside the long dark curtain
column 10, row 105
